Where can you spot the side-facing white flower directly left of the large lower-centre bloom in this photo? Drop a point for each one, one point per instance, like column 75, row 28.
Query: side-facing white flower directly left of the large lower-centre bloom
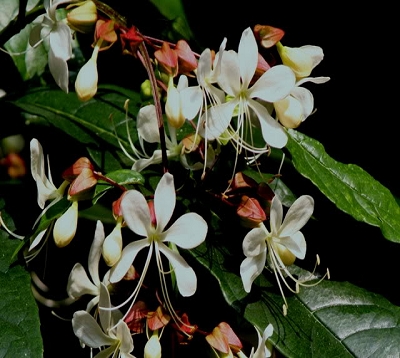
column 79, row 283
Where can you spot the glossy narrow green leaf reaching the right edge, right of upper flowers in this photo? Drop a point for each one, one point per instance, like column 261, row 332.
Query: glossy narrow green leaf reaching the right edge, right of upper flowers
column 348, row 186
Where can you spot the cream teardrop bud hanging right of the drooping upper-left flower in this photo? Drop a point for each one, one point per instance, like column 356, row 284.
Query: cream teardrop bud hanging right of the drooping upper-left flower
column 86, row 81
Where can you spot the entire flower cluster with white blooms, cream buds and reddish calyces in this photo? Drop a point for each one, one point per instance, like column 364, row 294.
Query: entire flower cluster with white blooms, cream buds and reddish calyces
column 220, row 99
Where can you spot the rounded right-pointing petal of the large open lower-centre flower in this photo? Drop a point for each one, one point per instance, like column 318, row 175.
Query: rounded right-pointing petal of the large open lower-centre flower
column 187, row 232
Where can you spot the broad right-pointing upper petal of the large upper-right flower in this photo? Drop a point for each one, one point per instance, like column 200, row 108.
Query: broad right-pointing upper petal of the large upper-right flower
column 274, row 85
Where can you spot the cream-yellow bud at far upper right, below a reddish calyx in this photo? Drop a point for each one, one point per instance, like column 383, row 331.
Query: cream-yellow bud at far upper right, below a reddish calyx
column 301, row 60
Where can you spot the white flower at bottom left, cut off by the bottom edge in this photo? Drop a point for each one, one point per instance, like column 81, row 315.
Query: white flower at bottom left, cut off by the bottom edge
column 111, row 331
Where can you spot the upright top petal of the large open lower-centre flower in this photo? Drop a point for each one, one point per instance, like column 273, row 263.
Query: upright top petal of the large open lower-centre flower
column 164, row 201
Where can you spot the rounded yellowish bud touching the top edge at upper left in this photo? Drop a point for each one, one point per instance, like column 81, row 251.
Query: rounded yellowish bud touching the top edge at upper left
column 83, row 17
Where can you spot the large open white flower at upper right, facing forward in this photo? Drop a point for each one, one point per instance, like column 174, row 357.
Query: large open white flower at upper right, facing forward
column 237, row 71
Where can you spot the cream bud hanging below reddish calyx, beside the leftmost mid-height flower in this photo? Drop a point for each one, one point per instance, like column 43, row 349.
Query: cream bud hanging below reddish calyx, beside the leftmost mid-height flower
column 65, row 226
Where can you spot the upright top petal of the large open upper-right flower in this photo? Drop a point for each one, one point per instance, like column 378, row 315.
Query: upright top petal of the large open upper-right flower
column 248, row 56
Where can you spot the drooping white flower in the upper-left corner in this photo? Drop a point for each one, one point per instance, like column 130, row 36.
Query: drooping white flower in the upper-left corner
column 60, row 40
